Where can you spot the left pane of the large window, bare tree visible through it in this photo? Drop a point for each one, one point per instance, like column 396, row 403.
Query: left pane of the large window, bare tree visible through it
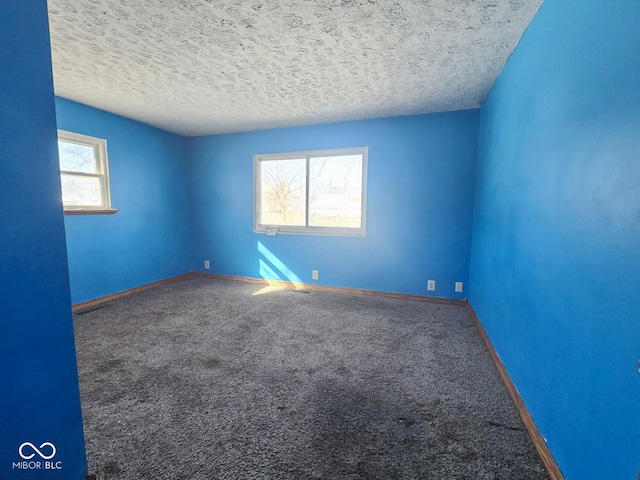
column 282, row 185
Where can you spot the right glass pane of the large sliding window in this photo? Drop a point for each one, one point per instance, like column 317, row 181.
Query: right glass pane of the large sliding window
column 335, row 191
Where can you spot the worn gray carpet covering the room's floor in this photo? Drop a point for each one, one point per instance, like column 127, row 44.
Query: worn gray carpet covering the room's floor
column 205, row 379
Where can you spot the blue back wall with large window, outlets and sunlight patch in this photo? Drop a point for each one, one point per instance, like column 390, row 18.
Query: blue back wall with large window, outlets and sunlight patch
column 419, row 210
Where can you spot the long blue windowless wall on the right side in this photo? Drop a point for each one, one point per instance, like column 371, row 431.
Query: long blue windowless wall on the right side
column 555, row 270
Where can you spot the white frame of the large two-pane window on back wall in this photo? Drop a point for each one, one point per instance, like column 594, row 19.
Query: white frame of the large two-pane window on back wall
column 268, row 229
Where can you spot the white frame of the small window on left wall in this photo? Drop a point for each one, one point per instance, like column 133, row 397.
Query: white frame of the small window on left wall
column 99, row 146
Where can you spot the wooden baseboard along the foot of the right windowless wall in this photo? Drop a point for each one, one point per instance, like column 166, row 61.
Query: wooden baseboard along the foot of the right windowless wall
column 534, row 433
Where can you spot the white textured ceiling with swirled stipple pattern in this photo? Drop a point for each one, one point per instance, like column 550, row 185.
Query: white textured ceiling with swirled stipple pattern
column 197, row 67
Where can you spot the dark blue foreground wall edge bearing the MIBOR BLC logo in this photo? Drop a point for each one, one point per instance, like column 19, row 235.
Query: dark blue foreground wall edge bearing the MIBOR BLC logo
column 39, row 396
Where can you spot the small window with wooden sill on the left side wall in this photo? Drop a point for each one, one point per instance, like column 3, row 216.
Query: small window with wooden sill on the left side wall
column 84, row 172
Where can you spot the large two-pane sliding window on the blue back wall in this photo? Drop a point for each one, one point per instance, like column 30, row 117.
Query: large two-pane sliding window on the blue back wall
column 314, row 193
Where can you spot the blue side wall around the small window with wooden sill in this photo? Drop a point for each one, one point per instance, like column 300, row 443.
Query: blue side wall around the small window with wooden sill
column 148, row 239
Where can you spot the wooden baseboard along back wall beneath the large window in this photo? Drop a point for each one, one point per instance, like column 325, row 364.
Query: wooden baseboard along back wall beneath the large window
column 323, row 288
